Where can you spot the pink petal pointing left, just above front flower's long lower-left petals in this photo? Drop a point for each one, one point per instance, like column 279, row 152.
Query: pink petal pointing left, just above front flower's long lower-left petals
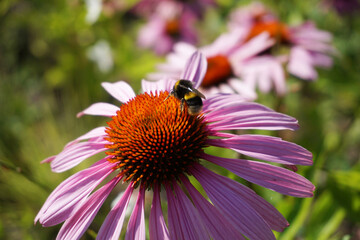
column 74, row 154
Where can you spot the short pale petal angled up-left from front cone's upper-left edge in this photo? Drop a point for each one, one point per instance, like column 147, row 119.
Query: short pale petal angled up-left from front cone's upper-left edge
column 121, row 90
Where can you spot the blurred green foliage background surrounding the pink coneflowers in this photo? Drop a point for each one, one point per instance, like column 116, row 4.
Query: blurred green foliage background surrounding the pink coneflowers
column 47, row 76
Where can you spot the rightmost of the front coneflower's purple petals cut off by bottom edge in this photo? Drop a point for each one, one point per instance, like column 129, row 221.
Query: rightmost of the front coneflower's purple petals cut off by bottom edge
column 247, row 220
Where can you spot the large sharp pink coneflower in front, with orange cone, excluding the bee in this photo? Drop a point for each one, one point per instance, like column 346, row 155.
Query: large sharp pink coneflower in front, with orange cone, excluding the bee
column 154, row 145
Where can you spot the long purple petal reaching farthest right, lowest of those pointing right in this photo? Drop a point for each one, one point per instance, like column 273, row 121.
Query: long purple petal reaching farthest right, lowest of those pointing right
column 272, row 177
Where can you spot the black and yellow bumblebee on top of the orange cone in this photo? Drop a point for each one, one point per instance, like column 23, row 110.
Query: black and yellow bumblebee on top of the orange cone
column 185, row 92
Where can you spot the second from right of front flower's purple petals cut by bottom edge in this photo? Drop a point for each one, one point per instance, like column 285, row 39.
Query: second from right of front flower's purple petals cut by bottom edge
column 217, row 225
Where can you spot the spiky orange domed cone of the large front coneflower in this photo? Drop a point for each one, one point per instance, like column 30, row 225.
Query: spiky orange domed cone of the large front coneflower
column 154, row 140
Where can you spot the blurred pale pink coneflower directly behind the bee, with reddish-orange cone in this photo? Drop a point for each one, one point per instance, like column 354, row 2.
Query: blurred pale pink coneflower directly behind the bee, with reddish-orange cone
column 227, row 62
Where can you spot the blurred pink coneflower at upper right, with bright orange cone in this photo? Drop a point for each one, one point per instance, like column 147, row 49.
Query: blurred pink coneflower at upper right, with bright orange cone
column 302, row 47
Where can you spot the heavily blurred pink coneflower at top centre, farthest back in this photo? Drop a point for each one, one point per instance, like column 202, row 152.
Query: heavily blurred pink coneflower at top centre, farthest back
column 166, row 26
